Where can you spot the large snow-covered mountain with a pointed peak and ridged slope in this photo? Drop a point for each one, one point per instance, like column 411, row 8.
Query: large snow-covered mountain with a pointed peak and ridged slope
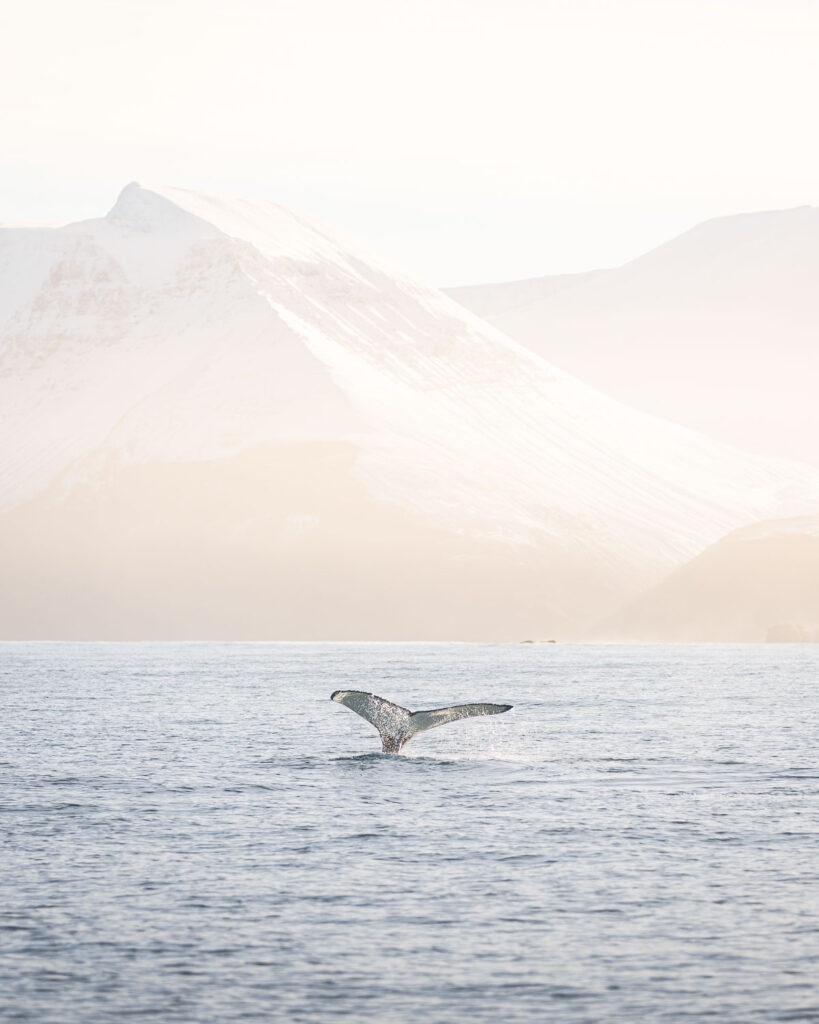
column 209, row 403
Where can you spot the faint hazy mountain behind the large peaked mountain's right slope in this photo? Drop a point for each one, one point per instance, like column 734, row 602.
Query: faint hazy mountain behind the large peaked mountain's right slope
column 717, row 329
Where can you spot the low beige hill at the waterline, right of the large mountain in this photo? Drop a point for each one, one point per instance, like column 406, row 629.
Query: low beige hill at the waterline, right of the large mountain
column 760, row 583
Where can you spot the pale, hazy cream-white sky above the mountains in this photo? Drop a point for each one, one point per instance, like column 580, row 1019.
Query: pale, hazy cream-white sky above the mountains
column 465, row 140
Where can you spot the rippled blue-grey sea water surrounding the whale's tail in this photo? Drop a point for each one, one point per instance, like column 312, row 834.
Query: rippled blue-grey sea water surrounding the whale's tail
column 196, row 833
